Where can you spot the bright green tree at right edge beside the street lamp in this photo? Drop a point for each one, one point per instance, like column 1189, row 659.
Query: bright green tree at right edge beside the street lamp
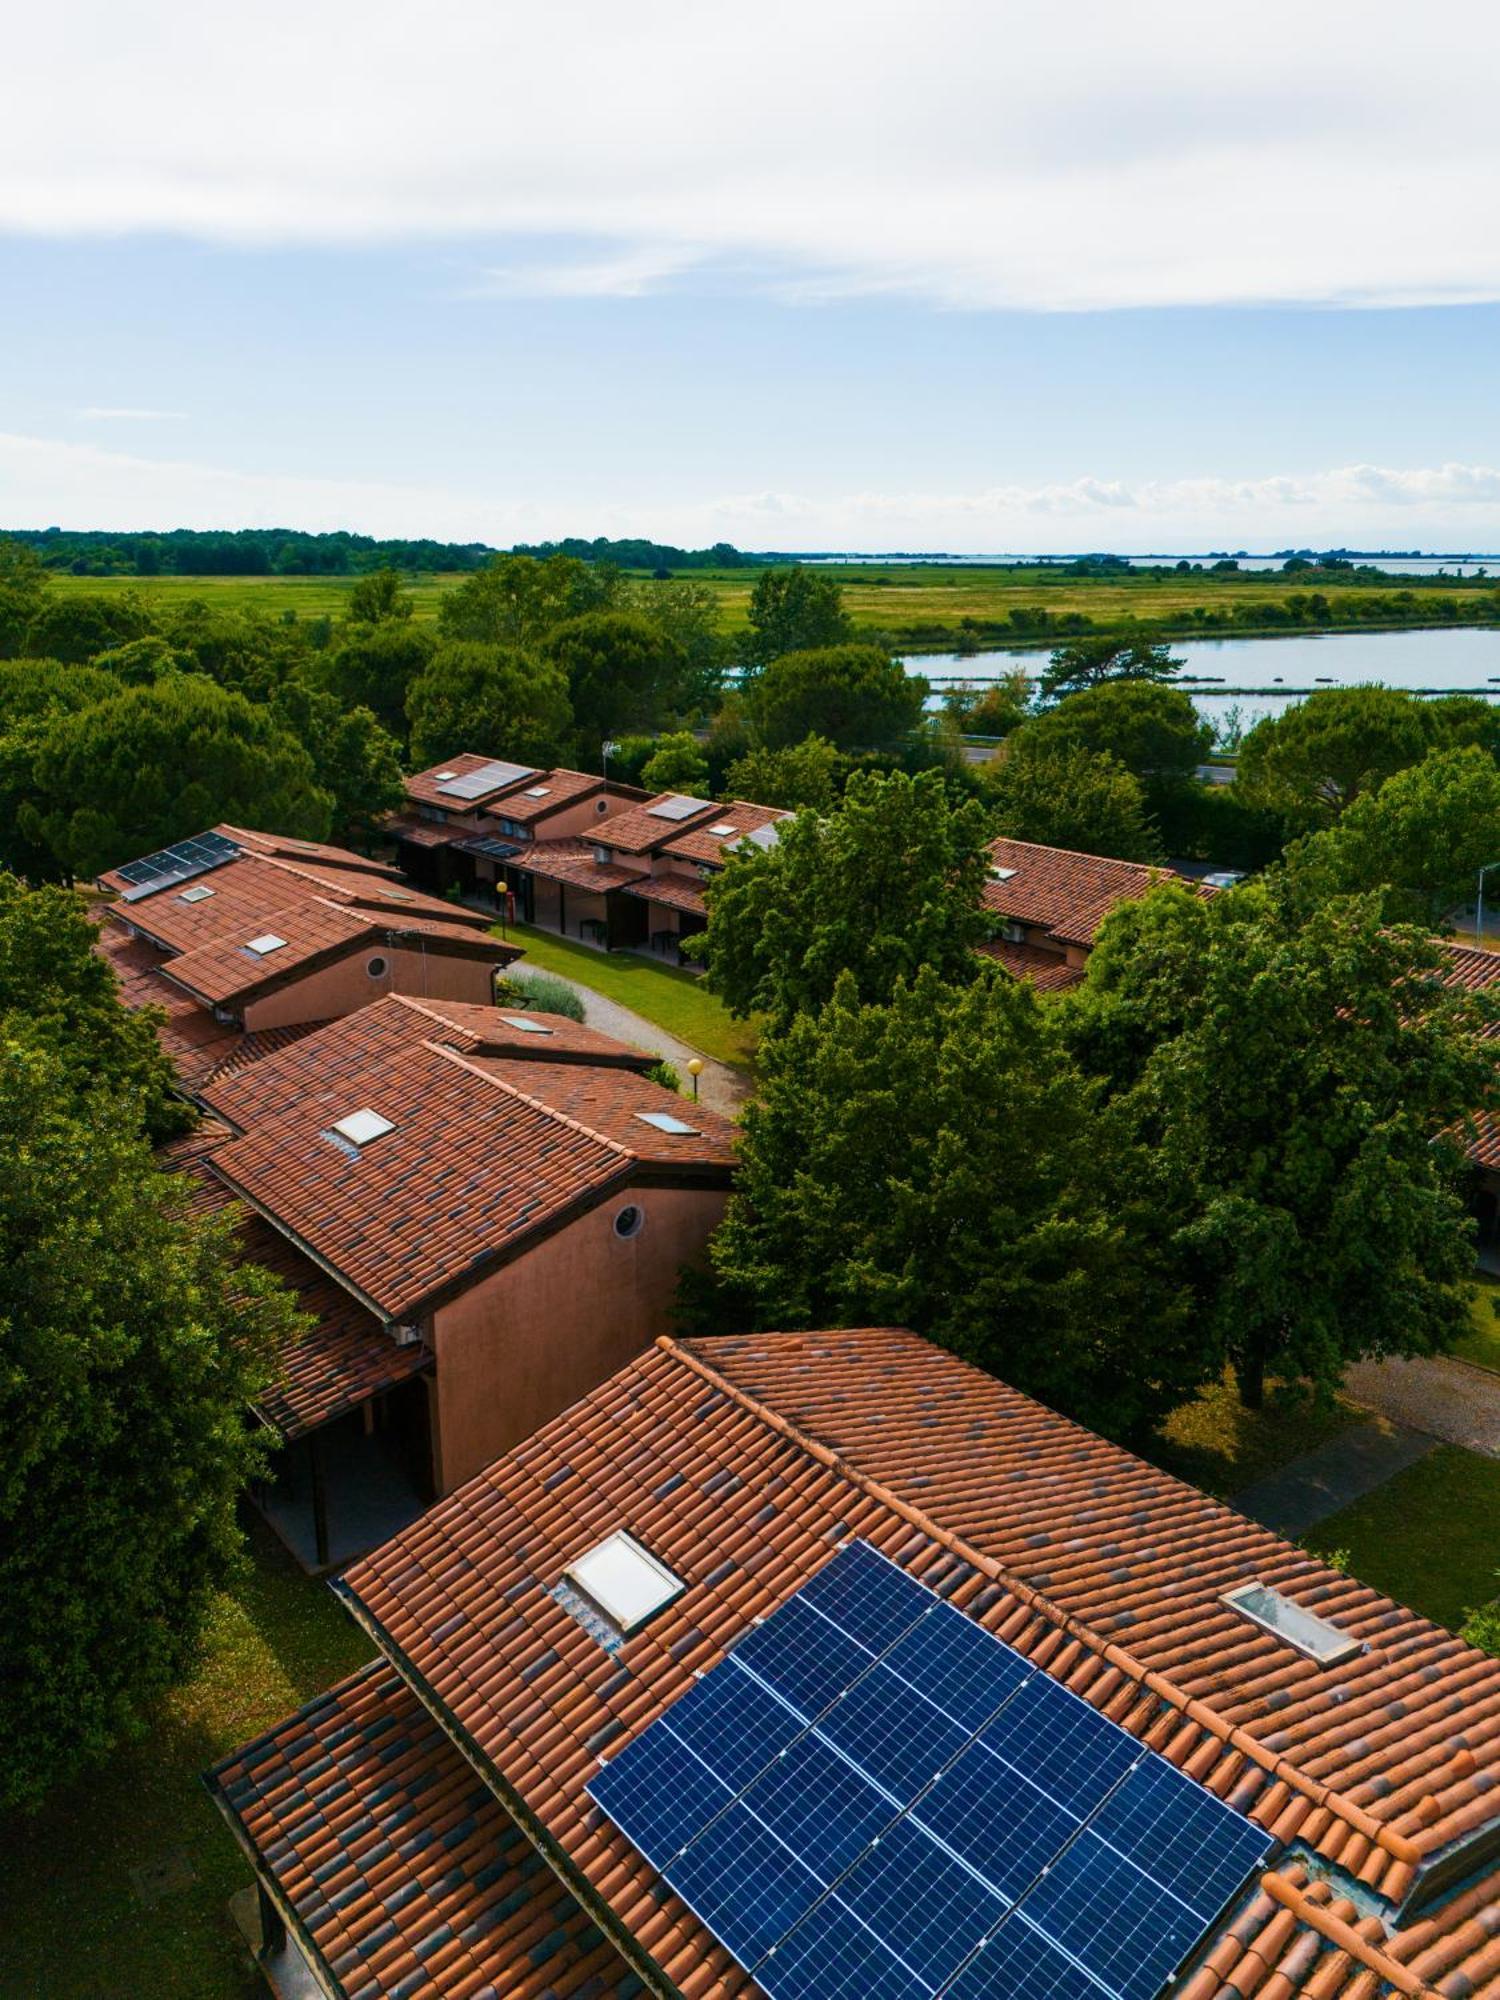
column 1421, row 839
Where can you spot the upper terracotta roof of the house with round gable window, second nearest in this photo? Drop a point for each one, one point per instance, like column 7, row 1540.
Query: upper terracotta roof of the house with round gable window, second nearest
column 485, row 1153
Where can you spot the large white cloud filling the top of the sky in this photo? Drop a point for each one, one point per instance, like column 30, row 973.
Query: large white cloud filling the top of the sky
column 1025, row 155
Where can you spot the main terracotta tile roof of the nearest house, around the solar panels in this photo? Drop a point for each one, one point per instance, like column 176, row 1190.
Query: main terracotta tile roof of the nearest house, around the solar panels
column 743, row 1463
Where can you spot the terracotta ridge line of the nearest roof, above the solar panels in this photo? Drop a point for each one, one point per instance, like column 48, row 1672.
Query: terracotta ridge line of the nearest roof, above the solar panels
column 1055, row 1615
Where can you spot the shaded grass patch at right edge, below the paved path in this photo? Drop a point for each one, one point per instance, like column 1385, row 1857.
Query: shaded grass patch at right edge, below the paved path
column 1431, row 1537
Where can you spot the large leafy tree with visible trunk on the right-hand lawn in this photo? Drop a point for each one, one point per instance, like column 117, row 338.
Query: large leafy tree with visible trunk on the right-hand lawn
column 1299, row 1089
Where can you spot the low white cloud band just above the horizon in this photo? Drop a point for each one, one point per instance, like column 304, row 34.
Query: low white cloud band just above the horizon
column 1451, row 509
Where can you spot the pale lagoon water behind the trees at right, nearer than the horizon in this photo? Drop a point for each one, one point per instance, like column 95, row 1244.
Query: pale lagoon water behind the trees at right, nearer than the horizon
column 1271, row 669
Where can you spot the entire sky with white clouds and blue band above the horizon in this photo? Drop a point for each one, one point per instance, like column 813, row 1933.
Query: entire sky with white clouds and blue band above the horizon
column 1023, row 275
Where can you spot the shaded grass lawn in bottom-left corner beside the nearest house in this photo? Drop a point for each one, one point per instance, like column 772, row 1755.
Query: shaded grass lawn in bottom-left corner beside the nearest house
column 75, row 1927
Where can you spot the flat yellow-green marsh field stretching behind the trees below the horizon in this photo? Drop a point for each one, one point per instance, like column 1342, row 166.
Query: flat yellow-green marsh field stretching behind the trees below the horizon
column 935, row 607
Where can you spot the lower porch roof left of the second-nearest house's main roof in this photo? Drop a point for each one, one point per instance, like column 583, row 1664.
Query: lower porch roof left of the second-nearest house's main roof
column 347, row 1357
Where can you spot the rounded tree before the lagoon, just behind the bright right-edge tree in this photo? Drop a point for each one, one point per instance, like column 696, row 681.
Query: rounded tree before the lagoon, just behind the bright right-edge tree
column 1315, row 759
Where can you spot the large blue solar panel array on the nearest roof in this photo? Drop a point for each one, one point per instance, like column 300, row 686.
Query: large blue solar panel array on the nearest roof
column 873, row 1799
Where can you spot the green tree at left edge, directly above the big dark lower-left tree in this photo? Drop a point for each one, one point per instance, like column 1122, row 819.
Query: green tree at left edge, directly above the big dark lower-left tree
column 53, row 979
